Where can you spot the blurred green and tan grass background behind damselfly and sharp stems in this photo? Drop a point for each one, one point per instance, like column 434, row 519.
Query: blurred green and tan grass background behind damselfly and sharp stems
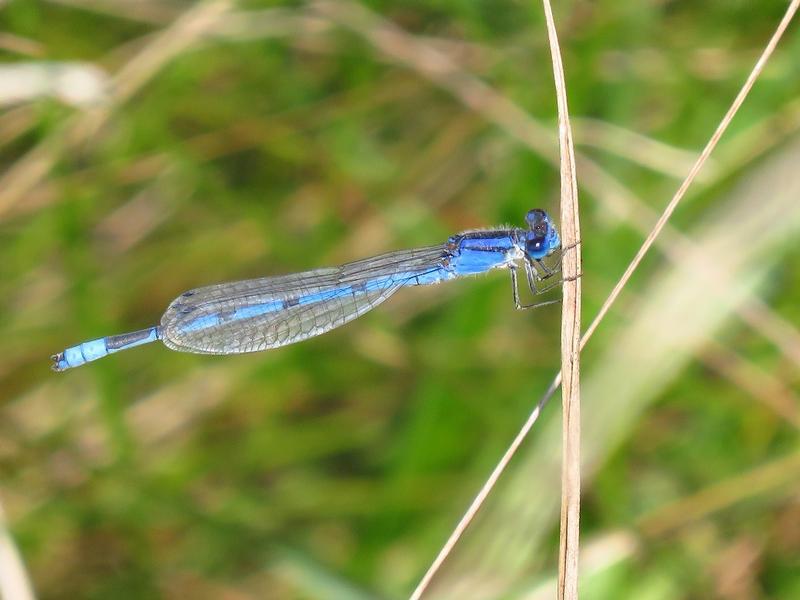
column 229, row 140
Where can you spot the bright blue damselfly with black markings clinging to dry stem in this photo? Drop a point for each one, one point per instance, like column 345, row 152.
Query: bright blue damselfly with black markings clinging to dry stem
column 258, row 314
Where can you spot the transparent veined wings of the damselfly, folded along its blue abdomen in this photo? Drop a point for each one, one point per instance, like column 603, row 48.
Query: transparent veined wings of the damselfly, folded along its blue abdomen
column 257, row 314
